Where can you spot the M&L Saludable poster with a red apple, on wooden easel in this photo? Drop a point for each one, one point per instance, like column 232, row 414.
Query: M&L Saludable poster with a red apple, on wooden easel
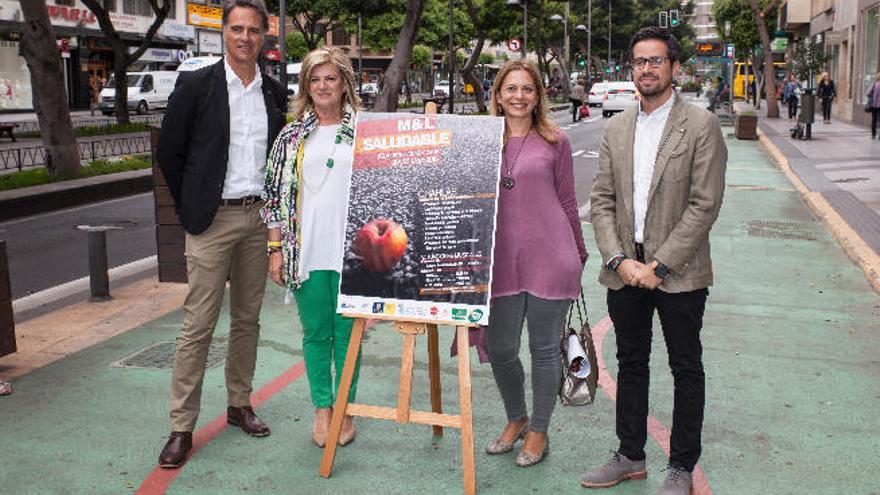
column 421, row 217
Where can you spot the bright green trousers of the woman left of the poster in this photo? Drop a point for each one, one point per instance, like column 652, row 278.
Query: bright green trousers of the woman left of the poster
column 325, row 336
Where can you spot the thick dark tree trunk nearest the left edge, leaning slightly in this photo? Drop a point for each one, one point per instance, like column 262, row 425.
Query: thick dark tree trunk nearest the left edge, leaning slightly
column 50, row 97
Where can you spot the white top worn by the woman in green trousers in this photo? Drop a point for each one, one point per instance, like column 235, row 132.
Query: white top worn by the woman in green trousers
column 324, row 201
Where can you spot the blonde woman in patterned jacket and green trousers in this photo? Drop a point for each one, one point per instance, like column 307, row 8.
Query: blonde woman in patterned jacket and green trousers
column 306, row 192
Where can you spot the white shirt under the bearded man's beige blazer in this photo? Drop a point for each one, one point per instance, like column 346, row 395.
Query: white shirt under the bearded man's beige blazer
column 649, row 131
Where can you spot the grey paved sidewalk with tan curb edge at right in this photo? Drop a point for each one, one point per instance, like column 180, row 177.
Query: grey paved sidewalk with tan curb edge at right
column 839, row 170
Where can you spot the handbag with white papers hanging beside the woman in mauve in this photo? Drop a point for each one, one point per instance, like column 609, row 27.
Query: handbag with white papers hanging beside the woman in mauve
column 580, row 370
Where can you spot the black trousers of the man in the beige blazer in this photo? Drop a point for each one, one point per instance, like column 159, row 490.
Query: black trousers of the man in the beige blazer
column 681, row 317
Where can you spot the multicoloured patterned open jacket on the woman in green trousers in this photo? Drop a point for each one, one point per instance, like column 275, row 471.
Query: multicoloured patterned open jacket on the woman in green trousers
column 283, row 182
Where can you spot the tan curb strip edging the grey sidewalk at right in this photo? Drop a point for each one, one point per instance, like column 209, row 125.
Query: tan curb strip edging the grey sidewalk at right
column 852, row 243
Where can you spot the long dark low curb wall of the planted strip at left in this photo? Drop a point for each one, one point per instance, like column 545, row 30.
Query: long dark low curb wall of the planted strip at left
column 50, row 197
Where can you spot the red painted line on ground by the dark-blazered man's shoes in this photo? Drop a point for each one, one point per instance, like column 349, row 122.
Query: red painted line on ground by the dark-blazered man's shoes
column 160, row 479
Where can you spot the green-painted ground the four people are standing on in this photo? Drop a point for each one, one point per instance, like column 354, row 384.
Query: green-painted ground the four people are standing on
column 790, row 340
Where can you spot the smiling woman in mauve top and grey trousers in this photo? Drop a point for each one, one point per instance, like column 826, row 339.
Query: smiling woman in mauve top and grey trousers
column 539, row 256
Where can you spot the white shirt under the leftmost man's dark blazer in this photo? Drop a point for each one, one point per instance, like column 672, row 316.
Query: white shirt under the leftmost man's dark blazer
column 248, row 135
